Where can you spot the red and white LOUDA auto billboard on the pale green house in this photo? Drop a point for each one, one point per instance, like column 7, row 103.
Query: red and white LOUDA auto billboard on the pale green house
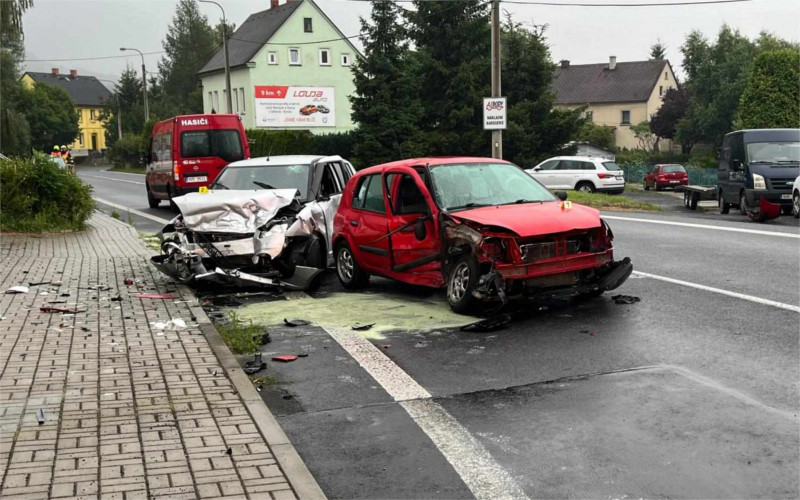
column 282, row 106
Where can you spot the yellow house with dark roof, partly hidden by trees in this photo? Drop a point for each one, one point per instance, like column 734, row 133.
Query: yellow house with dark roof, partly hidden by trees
column 89, row 96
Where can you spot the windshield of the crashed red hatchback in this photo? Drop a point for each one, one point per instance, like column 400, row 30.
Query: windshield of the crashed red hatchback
column 464, row 186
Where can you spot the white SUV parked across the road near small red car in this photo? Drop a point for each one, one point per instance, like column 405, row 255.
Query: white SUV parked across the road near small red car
column 581, row 173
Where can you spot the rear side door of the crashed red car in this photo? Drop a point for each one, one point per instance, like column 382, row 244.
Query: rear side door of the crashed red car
column 369, row 225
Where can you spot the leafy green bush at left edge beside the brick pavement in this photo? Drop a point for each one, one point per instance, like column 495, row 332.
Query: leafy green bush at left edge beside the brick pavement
column 39, row 196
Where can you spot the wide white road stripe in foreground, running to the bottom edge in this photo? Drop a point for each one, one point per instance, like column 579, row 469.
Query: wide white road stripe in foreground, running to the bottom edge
column 485, row 478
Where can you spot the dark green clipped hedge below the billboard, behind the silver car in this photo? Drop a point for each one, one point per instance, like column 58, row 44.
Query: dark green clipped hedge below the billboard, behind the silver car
column 287, row 142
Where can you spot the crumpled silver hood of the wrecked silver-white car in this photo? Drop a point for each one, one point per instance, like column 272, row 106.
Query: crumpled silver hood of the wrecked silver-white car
column 232, row 211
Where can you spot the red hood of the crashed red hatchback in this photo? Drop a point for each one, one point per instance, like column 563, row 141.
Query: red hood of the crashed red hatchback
column 533, row 219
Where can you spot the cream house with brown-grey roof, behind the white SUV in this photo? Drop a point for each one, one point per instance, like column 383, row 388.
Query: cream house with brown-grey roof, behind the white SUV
column 616, row 94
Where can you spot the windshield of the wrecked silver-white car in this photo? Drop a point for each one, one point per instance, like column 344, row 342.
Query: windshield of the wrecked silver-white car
column 265, row 177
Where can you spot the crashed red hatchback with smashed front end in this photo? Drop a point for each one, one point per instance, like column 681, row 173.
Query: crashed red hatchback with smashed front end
column 480, row 227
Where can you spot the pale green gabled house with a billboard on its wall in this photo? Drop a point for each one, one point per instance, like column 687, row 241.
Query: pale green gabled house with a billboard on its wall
column 290, row 69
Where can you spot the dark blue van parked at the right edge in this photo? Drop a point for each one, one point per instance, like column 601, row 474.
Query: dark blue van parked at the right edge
column 756, row 163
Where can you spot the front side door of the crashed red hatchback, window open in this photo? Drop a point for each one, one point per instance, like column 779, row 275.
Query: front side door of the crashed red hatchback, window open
column 415, row 258
